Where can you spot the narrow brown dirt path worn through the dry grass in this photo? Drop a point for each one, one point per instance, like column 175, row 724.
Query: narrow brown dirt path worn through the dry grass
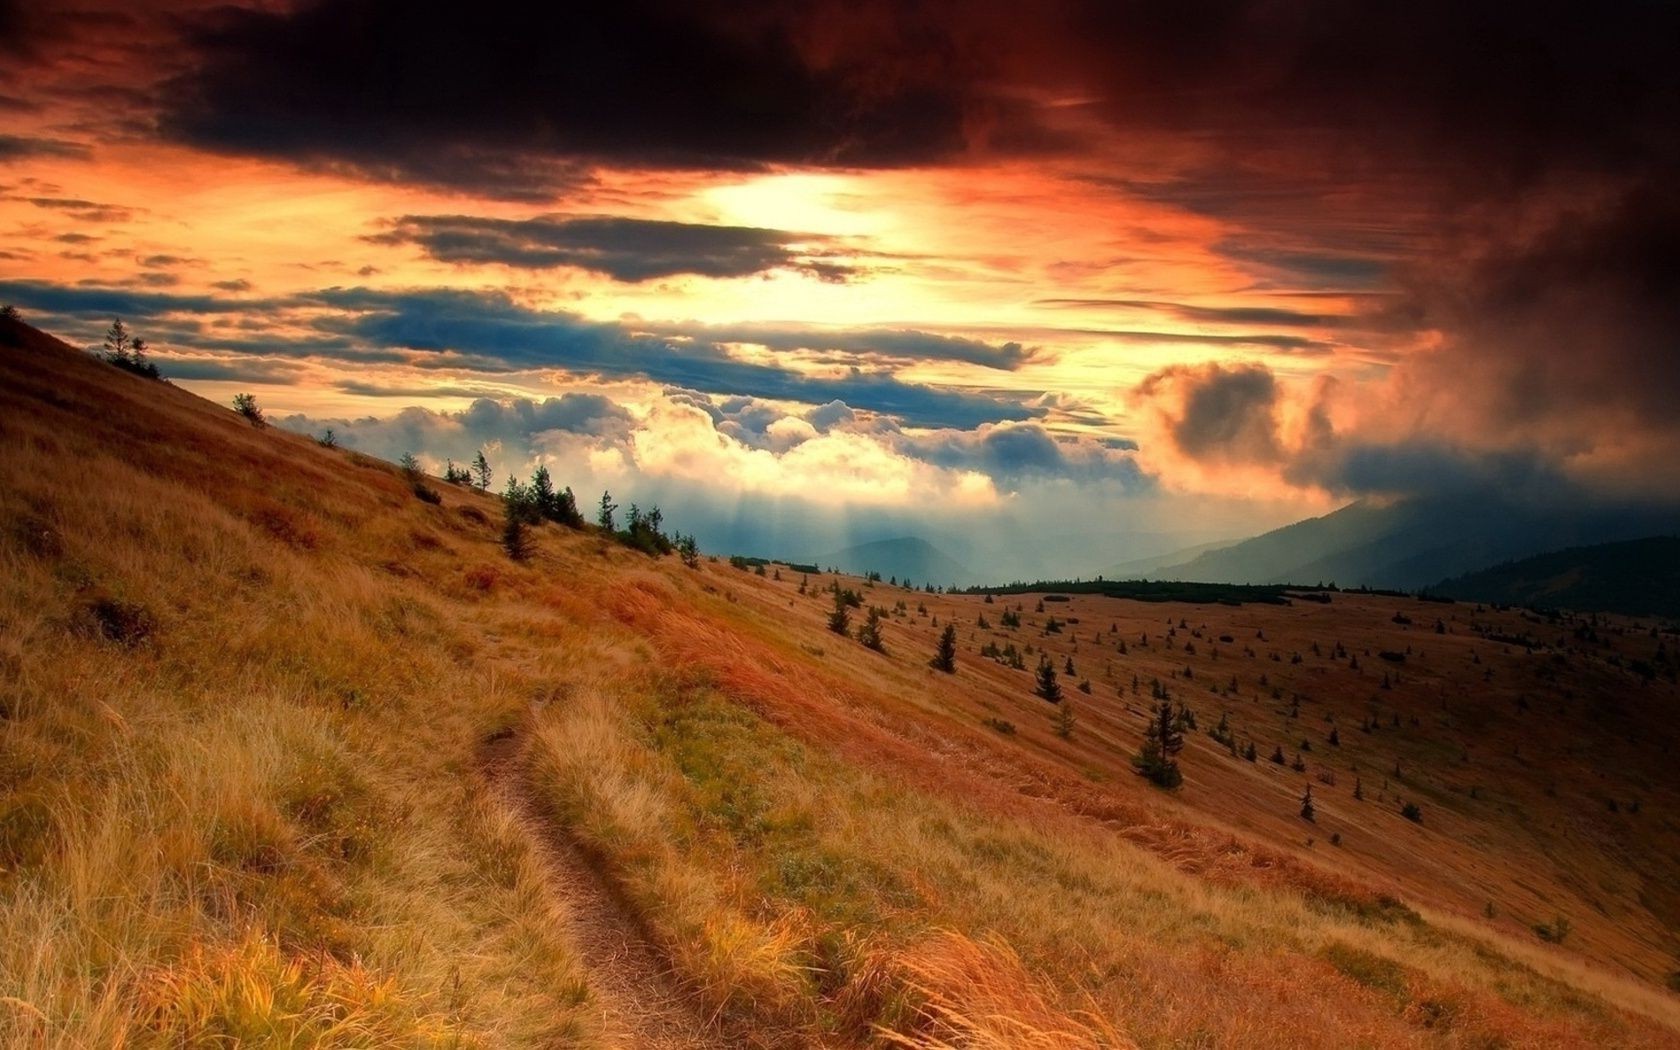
column 633, row 987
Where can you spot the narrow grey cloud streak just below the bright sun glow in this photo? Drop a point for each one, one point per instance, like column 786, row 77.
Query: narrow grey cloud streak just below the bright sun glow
column 624, row 249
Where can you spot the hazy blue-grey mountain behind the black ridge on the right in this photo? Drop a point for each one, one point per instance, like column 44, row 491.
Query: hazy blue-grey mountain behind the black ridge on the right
column 1412, row 545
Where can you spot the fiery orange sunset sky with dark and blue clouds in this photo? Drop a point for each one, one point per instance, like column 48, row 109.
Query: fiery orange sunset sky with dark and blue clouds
column 1051, row 285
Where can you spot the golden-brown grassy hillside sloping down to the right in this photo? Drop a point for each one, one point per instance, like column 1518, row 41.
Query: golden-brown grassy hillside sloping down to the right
column 293, row 757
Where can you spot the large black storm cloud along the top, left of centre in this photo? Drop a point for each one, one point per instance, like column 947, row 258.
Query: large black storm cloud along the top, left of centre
column 500, row 100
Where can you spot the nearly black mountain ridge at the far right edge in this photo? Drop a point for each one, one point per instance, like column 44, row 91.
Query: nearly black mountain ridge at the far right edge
column 1637, row 577
